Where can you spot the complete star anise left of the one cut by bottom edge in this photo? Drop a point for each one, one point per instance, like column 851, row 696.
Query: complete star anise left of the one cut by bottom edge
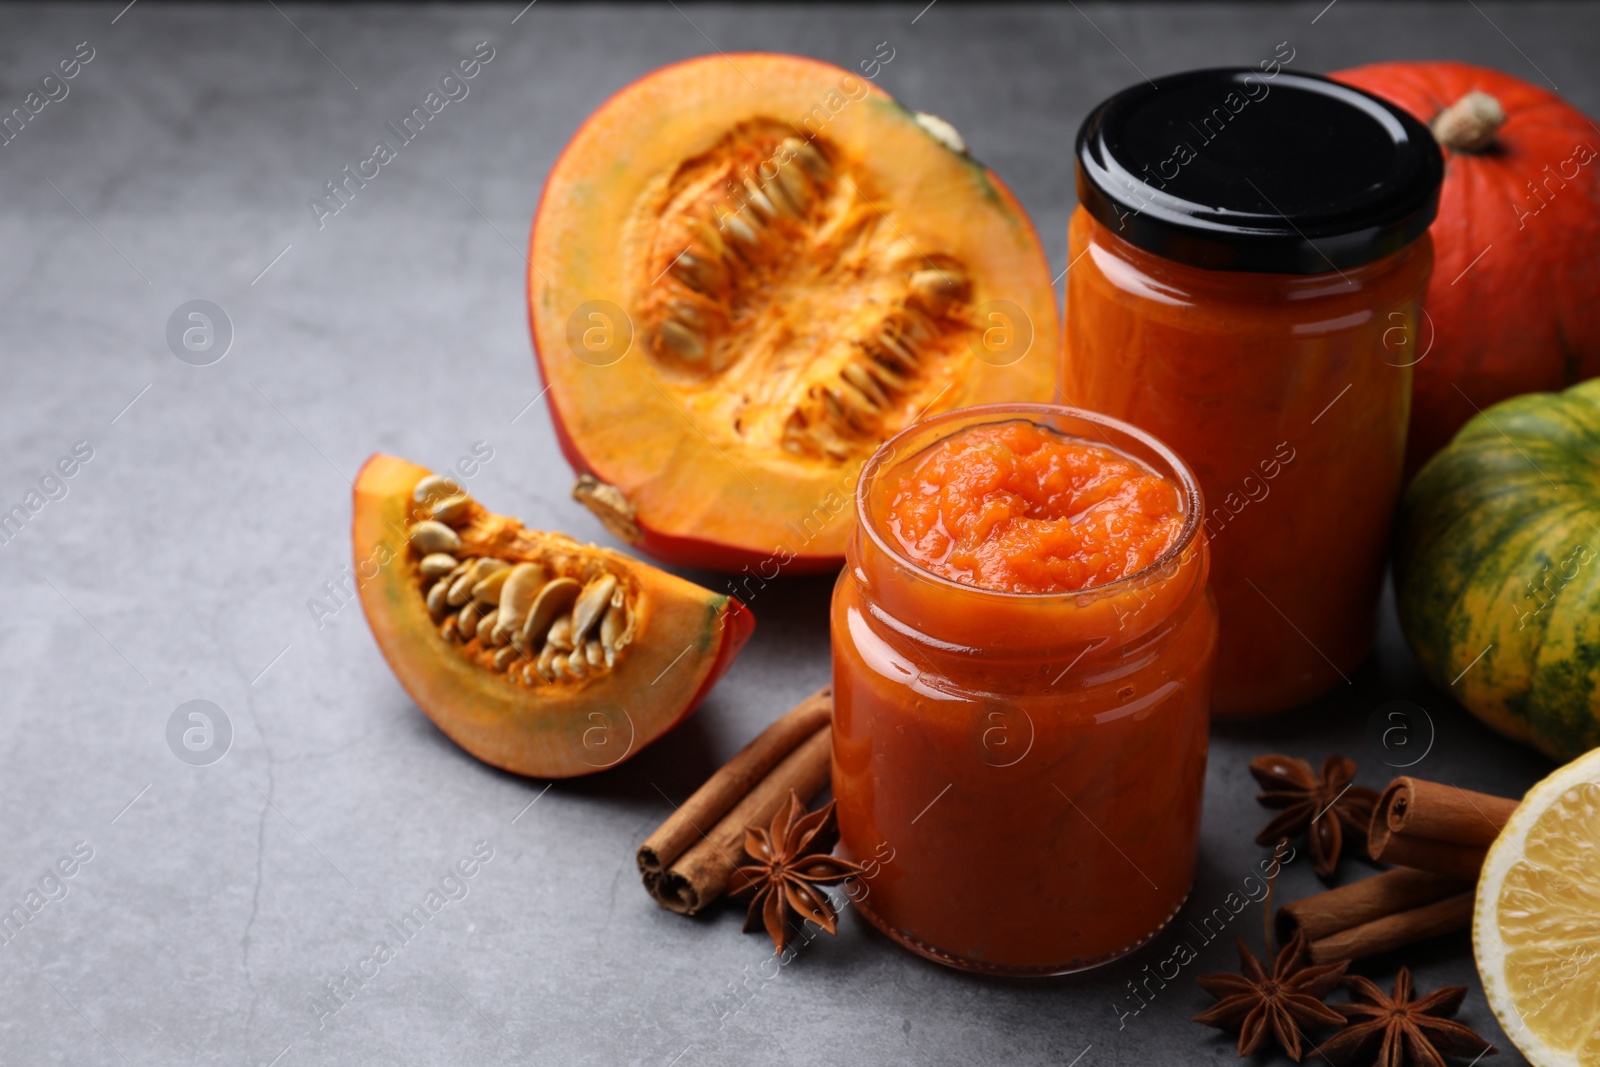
column 1278, row 1007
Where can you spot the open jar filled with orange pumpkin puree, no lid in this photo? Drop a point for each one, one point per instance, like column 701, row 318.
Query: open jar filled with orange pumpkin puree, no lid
column 1023, row 647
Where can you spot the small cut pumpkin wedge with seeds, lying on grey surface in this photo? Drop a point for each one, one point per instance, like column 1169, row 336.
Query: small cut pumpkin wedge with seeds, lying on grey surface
column 532, row 652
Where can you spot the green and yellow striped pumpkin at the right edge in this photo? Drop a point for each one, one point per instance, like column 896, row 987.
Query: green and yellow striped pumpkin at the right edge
column 1498, row 569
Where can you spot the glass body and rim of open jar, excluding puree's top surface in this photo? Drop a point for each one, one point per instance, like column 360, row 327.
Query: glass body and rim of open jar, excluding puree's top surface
column 1022, row 772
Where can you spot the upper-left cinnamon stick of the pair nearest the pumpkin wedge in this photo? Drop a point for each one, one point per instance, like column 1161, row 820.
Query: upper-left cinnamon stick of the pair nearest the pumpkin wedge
column 724, row 789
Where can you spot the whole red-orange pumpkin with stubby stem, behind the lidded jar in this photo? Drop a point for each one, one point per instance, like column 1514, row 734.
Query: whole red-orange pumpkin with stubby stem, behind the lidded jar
column 1514, row 305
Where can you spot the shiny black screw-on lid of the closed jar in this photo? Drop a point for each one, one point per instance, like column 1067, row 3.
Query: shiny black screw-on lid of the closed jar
column 1239, row 170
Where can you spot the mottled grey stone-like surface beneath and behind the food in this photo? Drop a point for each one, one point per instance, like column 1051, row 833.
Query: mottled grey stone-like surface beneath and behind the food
column 220, row 900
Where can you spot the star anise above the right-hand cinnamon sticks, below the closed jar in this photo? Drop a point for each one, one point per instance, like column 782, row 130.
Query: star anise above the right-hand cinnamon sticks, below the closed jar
column 1324, row 807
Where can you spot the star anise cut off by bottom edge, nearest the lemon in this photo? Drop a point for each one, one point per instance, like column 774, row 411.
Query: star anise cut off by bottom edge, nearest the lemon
column 1402, row 1031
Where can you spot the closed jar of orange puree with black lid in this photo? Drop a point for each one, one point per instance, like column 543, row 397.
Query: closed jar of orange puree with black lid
column 1249, row 260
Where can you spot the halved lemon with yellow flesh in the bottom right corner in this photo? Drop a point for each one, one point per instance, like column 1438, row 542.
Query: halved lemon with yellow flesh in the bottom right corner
column 1537, row 927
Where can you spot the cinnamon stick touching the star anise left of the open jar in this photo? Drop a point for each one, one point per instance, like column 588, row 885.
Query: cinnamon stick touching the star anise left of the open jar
column 702, row 874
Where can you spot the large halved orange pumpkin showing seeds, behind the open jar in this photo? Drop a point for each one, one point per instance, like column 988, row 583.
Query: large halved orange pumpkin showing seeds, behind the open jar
column 748, row 273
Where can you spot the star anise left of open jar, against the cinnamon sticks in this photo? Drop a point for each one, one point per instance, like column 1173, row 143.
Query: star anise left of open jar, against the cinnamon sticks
column 791, row 860
